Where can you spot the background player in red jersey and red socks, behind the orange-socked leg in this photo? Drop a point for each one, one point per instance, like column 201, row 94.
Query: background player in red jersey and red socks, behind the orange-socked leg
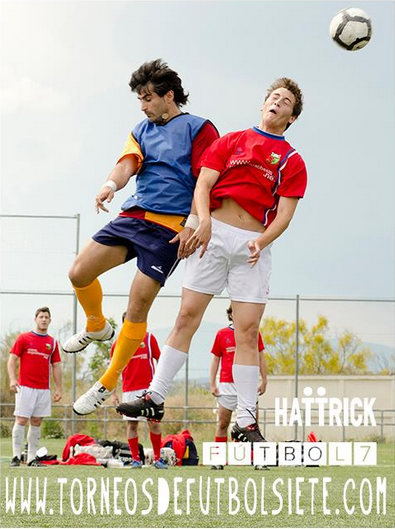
column 136, row 378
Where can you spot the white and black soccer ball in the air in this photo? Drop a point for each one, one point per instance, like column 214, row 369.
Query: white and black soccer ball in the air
column 351, row 28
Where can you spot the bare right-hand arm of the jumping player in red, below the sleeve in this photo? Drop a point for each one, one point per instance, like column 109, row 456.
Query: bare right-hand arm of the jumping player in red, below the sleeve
column 286, row 210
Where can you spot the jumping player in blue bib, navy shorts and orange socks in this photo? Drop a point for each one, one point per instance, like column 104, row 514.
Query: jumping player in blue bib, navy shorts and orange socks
column 164, row 152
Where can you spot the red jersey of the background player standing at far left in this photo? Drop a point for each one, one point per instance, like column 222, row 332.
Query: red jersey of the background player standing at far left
column 36, row 353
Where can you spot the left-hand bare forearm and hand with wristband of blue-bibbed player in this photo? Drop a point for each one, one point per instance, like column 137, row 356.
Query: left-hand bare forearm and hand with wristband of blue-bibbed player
column 117, row 179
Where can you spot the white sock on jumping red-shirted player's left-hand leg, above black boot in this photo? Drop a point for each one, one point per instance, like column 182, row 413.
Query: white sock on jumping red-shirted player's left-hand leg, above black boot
column 170, row 362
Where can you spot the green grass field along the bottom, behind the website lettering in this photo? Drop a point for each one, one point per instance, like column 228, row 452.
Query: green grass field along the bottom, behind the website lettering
column 86, row 489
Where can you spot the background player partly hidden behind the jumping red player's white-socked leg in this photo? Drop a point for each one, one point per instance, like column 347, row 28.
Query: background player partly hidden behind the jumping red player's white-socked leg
column 223, row 351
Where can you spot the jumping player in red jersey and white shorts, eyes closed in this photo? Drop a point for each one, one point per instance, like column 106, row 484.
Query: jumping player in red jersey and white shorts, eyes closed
column 246, row 195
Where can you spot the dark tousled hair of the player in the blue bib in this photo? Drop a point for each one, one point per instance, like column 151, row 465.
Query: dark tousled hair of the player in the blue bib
column 161, row 77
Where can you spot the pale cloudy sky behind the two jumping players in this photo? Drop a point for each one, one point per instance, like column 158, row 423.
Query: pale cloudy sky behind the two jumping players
column 67, row 110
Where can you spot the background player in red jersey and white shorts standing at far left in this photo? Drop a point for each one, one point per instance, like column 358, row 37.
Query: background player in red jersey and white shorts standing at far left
column 36, row 351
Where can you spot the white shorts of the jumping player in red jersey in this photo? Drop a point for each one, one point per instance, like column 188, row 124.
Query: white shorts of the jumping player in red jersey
column 224, row 265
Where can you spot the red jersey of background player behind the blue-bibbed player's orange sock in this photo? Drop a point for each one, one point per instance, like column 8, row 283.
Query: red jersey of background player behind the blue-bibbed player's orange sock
column 140, row 370
